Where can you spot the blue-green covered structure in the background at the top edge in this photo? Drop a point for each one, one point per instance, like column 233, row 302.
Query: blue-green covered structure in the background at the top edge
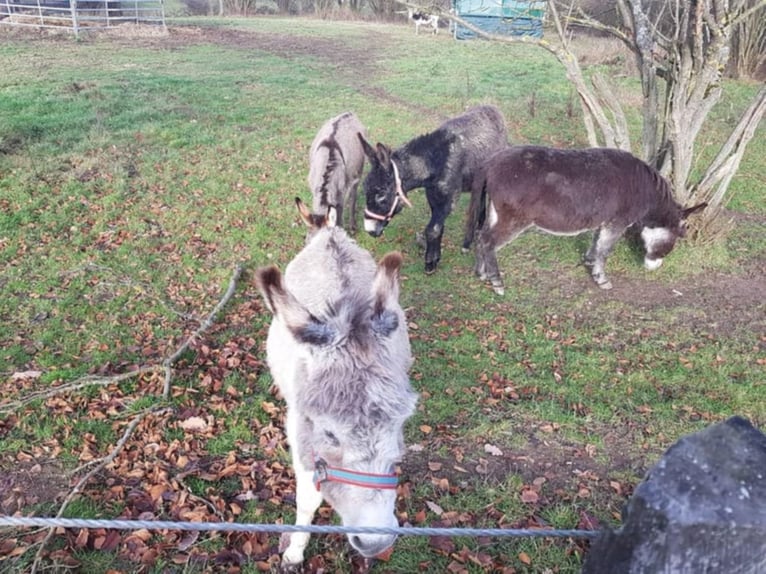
column 502, row 17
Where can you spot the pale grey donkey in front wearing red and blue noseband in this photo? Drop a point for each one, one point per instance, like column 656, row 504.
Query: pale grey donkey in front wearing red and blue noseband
column 339, row 352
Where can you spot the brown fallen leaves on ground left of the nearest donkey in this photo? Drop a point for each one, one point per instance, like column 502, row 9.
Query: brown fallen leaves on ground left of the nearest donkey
column 165, row 471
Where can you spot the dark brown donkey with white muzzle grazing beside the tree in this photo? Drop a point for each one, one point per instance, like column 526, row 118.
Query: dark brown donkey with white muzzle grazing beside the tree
column 567, row 192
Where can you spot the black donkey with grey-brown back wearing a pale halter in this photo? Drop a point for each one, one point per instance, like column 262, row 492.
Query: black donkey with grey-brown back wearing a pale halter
column 443, row 162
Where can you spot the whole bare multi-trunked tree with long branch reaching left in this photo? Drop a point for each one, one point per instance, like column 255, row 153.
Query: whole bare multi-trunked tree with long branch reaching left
column 682, row 48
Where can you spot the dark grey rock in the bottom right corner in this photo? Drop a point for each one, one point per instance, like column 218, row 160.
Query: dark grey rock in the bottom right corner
column 700, row 510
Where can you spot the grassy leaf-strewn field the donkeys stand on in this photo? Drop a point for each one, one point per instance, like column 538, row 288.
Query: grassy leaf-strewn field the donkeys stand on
column 139, row 171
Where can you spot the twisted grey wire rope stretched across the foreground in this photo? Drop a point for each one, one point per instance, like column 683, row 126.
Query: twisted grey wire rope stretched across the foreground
column 282, row 528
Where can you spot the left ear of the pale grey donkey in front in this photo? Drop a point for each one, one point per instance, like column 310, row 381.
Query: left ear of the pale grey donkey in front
column 302, row 324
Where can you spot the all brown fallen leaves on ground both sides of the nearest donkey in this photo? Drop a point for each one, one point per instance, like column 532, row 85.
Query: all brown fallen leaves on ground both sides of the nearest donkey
column 168, row 472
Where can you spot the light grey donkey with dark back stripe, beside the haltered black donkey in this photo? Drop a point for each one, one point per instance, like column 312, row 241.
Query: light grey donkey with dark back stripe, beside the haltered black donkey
column 336, row 161
